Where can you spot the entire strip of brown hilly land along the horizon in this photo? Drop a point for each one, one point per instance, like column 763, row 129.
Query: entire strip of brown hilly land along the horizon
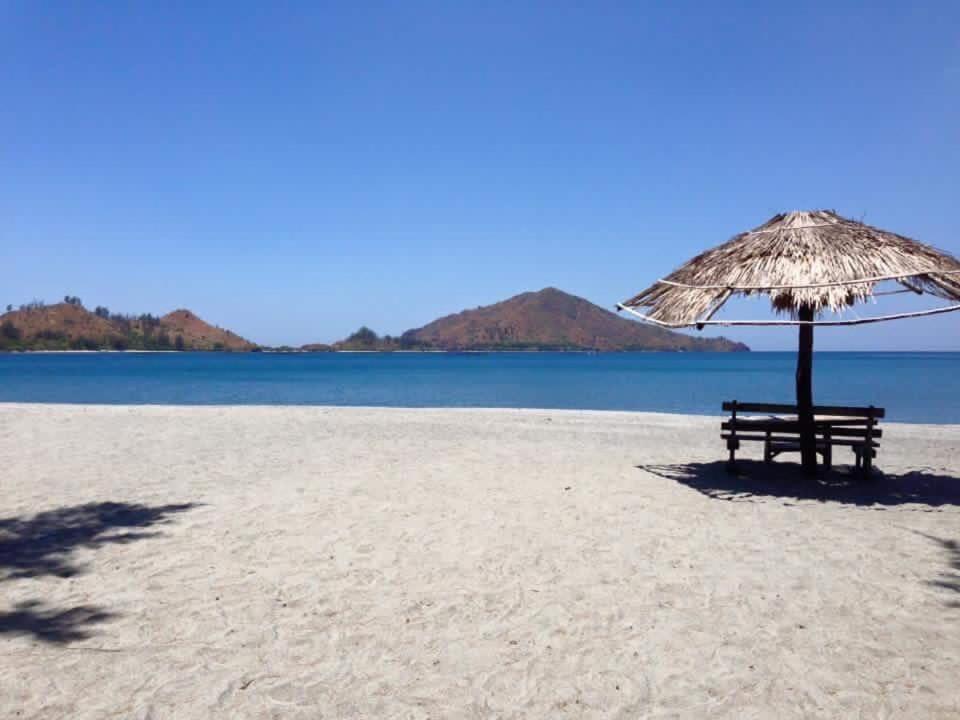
column 549, row 319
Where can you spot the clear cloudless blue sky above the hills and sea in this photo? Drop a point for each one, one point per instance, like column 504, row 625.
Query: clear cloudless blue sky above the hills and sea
column 292, row 171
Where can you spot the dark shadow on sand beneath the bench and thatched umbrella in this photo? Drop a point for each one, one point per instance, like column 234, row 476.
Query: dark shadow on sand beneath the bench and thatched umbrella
column 756, row 481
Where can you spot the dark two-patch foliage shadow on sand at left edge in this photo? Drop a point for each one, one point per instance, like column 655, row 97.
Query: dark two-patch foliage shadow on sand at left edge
column 43, row 545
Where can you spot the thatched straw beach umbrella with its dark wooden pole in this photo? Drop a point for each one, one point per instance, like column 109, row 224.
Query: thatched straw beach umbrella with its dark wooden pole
column 807, row 262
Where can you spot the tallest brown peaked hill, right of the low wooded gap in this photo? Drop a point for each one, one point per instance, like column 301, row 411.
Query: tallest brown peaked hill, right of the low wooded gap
column 553, row 320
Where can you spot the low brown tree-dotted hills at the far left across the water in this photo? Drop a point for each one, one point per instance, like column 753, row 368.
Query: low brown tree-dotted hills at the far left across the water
column 70, row 326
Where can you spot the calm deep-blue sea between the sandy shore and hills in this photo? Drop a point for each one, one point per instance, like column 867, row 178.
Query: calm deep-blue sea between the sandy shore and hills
column 914, row 387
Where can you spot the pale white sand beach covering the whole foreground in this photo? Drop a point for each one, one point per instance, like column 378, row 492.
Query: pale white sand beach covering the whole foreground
column 347, row 563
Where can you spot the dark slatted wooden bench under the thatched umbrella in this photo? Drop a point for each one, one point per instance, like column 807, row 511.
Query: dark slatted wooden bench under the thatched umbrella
column 779, row 430
